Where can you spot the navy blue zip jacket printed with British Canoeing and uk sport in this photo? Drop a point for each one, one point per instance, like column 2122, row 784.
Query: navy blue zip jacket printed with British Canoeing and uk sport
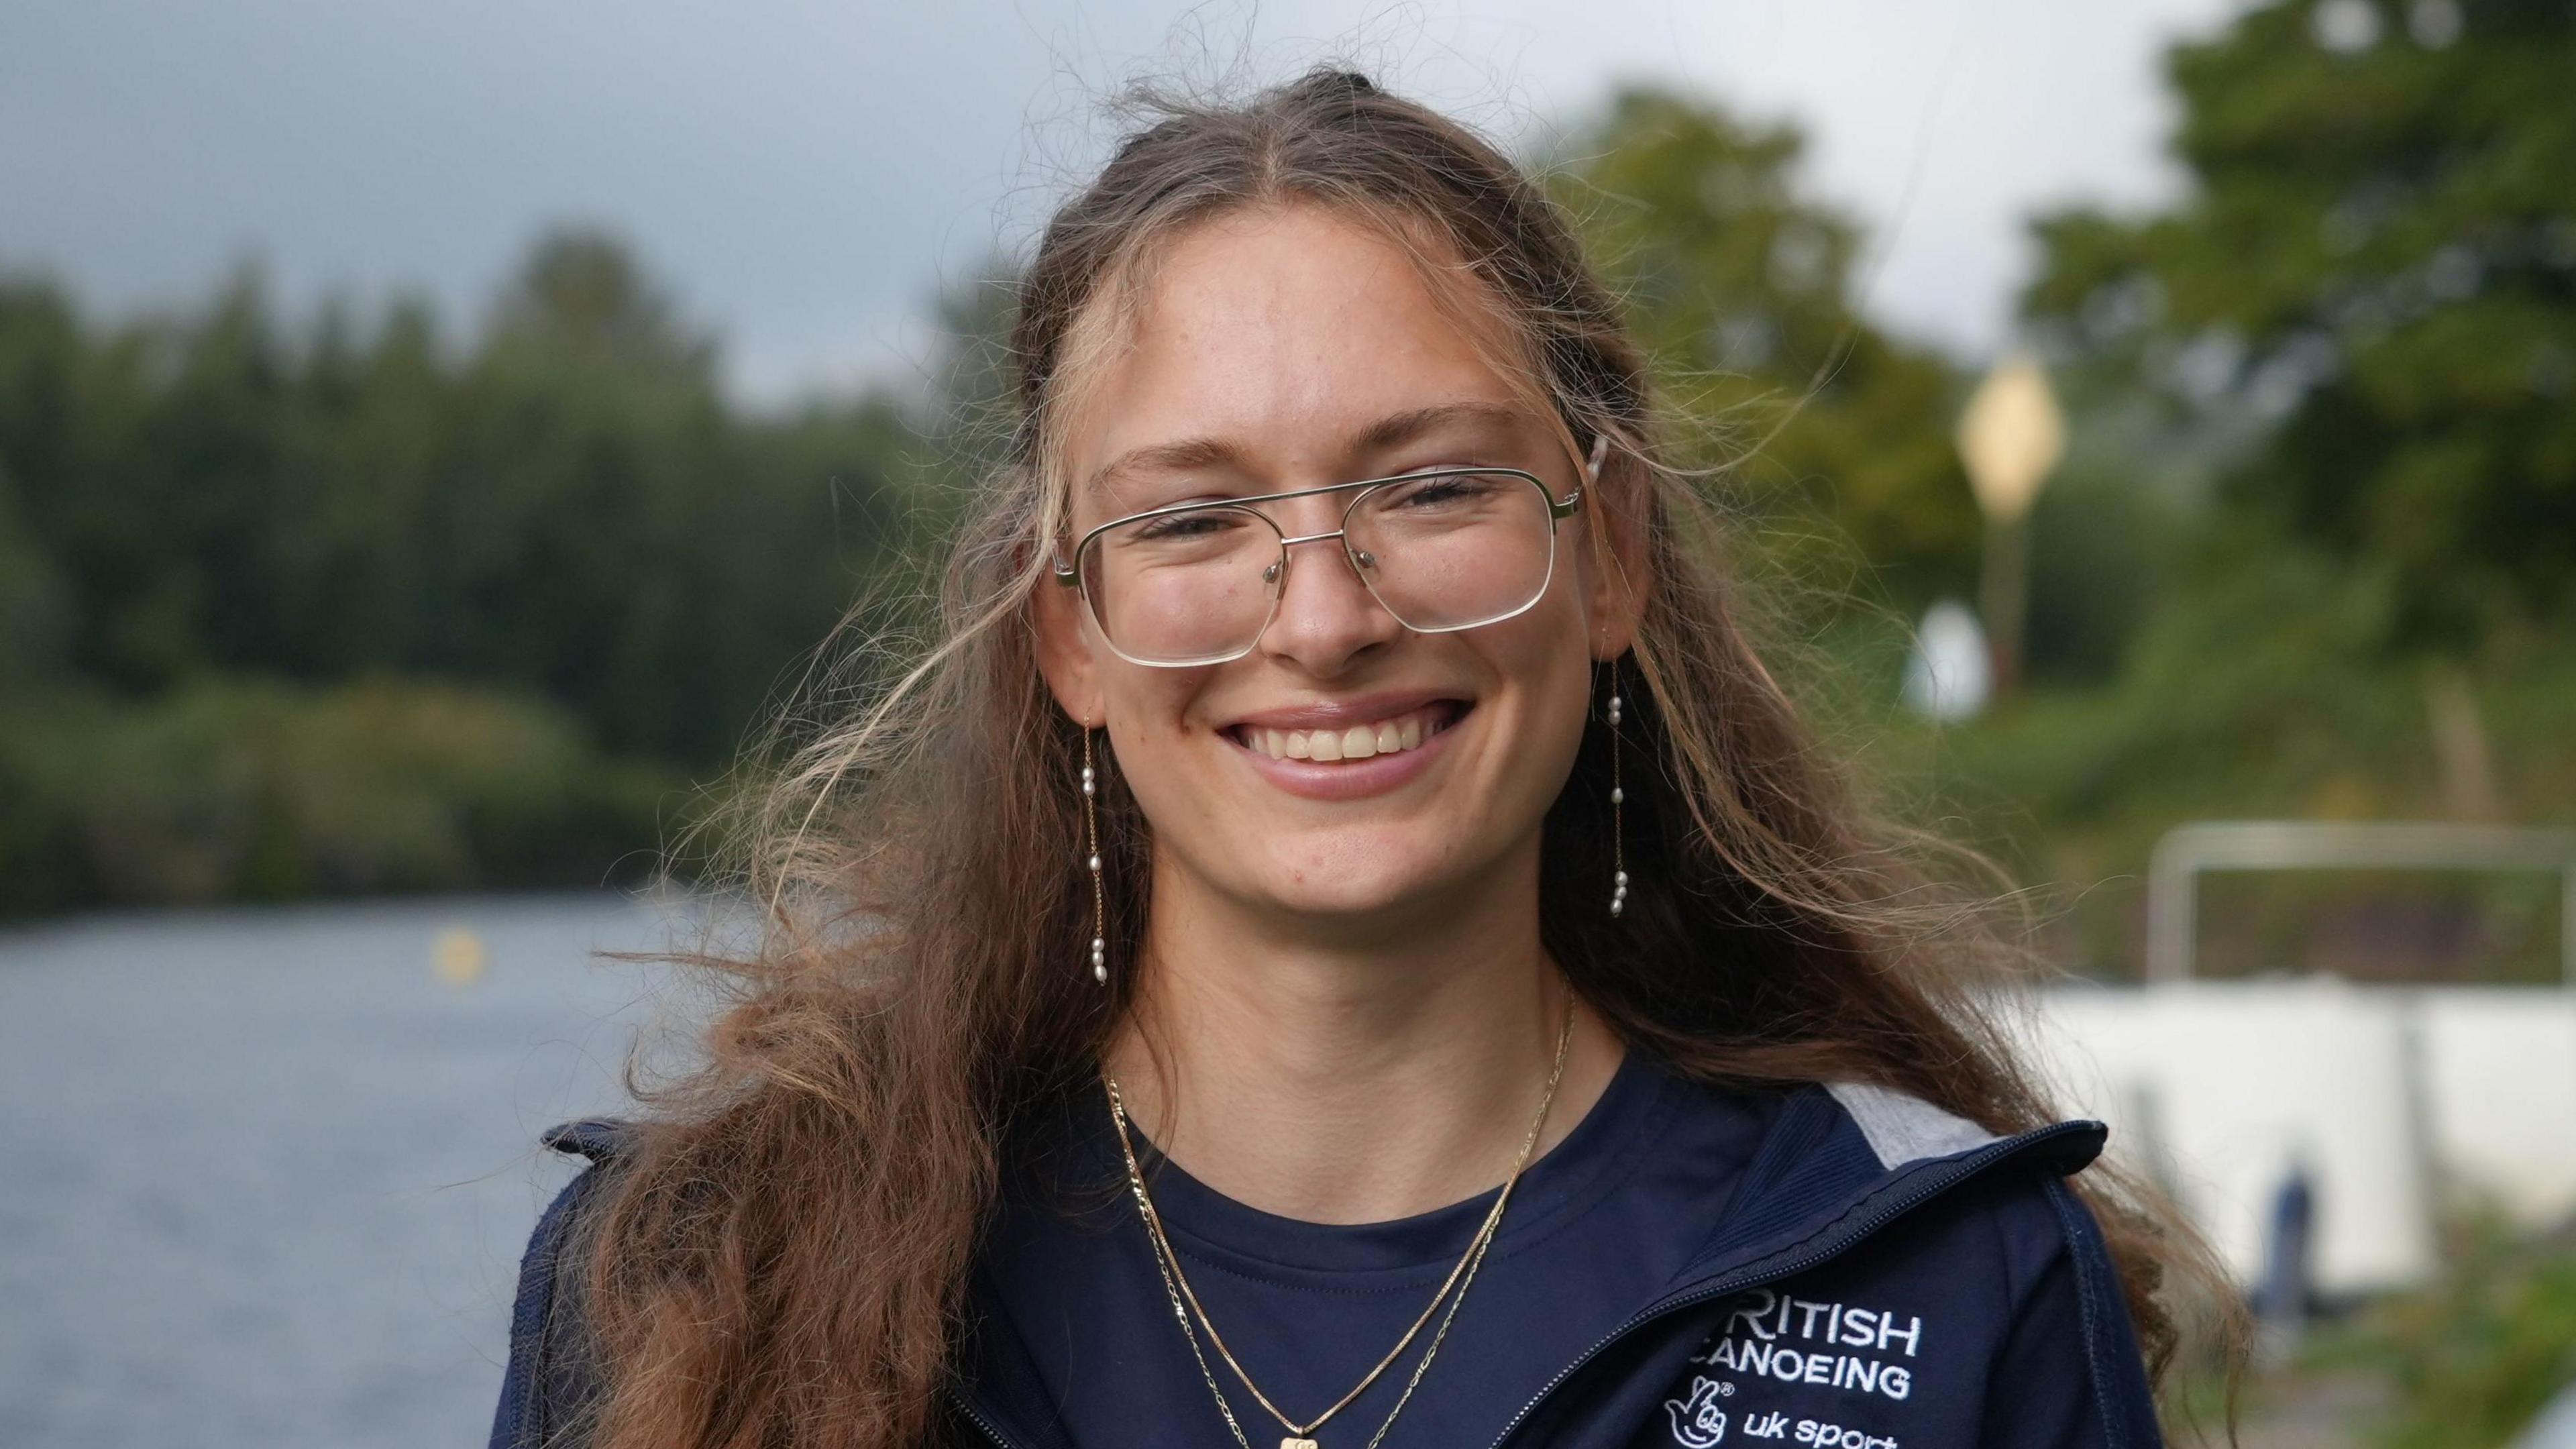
column 1884, row 1278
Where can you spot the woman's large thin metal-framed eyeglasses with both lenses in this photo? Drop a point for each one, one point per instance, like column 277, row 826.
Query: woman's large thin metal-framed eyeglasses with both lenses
column 1441, row 550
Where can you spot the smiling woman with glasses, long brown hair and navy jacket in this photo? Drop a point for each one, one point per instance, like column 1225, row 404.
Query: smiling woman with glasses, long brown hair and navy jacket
column 1341, row 942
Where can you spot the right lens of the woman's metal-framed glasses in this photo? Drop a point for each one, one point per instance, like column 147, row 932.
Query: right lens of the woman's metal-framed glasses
column 1454, row 550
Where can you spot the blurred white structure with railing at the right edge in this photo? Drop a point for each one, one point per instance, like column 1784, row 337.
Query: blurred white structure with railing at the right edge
column 2389, row 1097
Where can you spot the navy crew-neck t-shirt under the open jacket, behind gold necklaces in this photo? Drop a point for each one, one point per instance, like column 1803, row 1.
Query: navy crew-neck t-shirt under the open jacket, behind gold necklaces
column 1596, row 1231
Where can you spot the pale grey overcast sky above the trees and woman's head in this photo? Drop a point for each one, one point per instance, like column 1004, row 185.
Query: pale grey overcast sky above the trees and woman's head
column 805, row 174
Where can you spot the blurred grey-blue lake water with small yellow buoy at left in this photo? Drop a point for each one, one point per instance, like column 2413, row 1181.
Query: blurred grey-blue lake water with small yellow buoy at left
column 267, row 1174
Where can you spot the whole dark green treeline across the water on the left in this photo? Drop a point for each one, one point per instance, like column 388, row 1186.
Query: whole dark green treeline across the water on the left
column 565, row 520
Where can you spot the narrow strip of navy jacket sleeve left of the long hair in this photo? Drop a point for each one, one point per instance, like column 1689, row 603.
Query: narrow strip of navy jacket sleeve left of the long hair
column 550, row 1378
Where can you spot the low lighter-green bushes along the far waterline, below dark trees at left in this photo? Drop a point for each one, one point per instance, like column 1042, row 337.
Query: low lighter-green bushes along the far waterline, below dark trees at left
column 264, row 790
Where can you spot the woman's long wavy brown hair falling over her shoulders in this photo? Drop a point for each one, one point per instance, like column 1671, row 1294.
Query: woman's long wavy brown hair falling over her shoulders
column 782, row 1252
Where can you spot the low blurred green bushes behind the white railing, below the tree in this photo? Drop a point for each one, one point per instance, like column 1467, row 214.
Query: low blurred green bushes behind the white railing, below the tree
column 2258, row 687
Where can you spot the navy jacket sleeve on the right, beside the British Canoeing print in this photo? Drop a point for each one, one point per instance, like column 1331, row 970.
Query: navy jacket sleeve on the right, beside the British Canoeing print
column 2070, row 1370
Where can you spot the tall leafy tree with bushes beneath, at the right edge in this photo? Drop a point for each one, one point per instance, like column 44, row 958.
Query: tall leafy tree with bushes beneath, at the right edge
column 2322, row 476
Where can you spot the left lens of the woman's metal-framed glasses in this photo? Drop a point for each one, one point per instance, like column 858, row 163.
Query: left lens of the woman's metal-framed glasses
column 1184, row 587
